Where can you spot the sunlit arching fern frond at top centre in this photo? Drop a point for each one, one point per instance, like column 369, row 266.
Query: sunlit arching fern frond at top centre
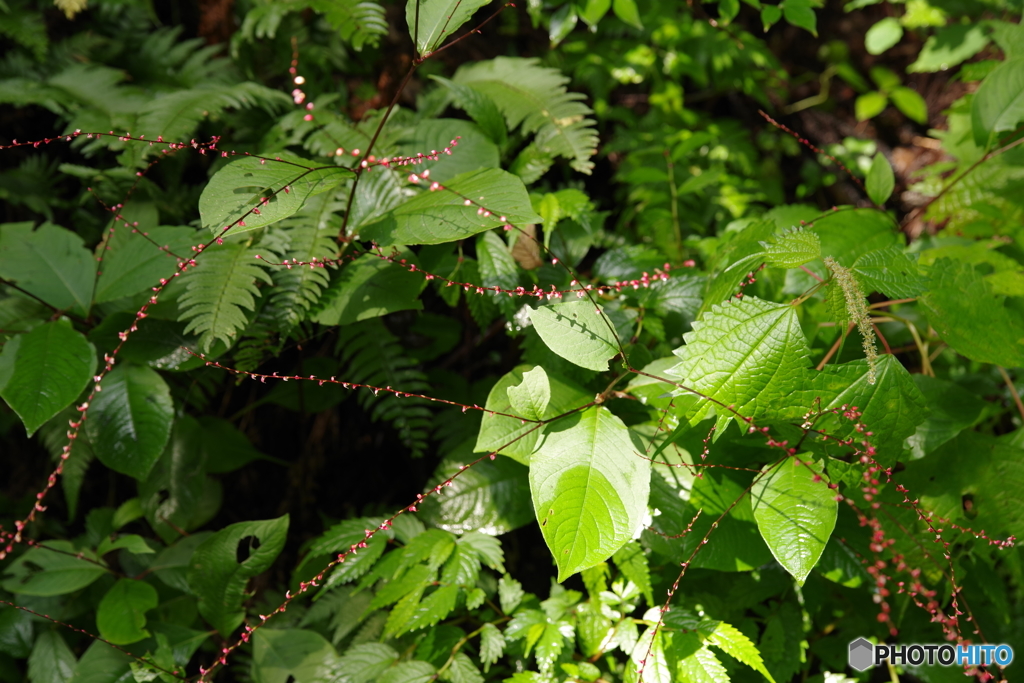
column 536, row 98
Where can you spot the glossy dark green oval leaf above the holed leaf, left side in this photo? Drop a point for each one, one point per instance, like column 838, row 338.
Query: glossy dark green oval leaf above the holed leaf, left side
column 131, row 420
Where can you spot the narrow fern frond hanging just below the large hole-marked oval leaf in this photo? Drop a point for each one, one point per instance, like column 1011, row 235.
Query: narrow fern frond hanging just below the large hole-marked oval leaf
column 311, row 237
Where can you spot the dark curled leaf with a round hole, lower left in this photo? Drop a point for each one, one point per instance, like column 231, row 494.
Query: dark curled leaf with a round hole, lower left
column 222, row 567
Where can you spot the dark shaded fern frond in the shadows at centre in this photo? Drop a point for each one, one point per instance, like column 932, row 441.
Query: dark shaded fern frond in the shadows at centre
column 373, row 356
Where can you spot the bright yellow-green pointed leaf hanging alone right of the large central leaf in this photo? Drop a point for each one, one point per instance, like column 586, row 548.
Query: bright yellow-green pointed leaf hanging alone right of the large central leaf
column 796, row 514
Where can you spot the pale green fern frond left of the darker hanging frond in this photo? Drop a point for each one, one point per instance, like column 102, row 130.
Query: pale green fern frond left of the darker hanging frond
column 218, row 289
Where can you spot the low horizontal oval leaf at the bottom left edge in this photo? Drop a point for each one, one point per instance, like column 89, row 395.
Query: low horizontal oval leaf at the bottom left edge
column 53, row 569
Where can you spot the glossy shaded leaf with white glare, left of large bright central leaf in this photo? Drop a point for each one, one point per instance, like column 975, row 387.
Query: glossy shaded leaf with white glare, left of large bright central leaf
column 491, row 497
